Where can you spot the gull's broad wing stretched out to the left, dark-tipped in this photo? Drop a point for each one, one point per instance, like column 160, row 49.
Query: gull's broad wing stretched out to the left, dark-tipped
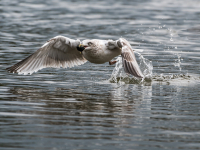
column 58, row 52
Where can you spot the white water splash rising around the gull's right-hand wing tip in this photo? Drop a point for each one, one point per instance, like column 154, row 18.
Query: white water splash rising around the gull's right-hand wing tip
column 119, row 76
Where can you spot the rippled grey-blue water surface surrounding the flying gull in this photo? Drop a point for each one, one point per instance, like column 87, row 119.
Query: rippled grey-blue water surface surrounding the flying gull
column 80, row 107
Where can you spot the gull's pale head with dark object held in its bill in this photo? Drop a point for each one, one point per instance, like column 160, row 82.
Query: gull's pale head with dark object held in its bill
column 86, row 45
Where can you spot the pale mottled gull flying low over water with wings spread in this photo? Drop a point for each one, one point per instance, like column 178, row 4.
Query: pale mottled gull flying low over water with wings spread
column 64, row 52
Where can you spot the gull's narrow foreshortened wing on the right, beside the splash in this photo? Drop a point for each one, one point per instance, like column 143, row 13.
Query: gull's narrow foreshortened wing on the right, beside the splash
column 128, row 58
